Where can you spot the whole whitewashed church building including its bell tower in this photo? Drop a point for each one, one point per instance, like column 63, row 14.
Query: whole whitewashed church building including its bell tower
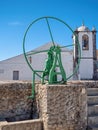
column 16, row 68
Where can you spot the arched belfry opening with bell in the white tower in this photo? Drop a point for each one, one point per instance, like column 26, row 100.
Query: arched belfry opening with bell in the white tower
column 85, row 42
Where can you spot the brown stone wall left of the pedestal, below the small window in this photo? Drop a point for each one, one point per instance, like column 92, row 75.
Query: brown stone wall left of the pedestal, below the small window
column 14, row 102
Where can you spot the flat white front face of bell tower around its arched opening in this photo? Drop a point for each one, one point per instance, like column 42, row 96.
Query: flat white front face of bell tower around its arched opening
column 86, row 64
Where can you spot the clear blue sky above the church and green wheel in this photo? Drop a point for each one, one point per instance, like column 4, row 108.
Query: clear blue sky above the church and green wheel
column 16, row 15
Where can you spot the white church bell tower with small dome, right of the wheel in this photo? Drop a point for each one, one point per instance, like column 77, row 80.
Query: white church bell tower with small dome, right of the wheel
column 87, row 40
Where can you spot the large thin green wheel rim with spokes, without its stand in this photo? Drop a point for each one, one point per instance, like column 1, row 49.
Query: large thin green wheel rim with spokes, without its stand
column 48, row 19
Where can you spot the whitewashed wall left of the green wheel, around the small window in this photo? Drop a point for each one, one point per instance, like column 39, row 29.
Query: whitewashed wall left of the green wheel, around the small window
column 15, row 64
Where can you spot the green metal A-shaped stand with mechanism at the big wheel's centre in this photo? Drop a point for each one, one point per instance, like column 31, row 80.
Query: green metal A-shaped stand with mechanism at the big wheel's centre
column 52, row 63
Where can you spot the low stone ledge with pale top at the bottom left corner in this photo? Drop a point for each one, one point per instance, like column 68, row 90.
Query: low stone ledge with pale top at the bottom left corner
column 22, row 125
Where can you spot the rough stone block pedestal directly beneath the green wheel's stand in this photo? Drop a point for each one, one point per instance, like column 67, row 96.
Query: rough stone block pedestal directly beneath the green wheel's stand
column 62, row 107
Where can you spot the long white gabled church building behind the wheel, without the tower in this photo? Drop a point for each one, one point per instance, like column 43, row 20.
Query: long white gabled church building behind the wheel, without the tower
column 16, row 68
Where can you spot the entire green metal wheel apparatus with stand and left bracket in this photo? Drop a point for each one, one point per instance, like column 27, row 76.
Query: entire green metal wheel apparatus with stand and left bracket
column 54, row 57
